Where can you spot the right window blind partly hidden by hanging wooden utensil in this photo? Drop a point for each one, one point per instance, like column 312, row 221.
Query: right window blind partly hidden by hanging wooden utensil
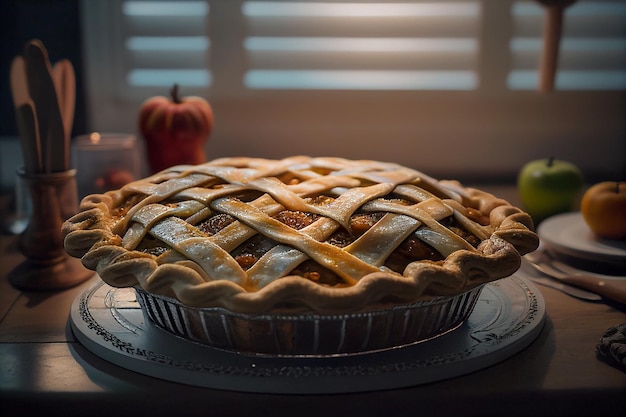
column 592, row 51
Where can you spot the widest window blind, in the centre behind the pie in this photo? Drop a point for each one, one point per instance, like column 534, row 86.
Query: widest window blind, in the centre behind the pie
column 353, row 46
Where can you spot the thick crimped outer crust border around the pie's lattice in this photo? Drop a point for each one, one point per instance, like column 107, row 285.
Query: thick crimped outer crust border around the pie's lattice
column 88, row 236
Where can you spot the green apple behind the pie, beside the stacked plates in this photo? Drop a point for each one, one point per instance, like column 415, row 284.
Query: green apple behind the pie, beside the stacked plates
column 549, row 186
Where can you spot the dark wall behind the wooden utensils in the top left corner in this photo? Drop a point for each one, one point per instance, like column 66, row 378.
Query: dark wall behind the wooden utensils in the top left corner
column 57, row 24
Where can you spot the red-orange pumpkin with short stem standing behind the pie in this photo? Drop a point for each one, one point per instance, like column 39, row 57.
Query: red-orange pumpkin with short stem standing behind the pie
column 175, row 129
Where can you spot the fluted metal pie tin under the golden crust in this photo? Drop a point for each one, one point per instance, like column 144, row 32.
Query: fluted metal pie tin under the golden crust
column 310, row 334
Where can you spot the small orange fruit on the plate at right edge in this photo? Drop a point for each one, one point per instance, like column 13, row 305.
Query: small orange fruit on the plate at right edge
column 604, row 209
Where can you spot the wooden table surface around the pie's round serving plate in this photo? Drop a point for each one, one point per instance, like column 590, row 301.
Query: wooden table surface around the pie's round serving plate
column 44, row 370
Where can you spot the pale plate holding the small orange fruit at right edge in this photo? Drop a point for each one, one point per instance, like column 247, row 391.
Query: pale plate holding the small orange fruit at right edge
column 569, row 235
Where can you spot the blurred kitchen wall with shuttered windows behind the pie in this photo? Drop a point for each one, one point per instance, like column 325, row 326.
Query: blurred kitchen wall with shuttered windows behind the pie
column 446, row 87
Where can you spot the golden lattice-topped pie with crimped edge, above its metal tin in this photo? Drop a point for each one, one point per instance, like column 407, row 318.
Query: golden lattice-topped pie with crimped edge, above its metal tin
column 314, row 234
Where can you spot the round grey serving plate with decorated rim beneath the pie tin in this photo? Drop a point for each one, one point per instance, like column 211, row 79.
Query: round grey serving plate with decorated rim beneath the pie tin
column 508, row 316
